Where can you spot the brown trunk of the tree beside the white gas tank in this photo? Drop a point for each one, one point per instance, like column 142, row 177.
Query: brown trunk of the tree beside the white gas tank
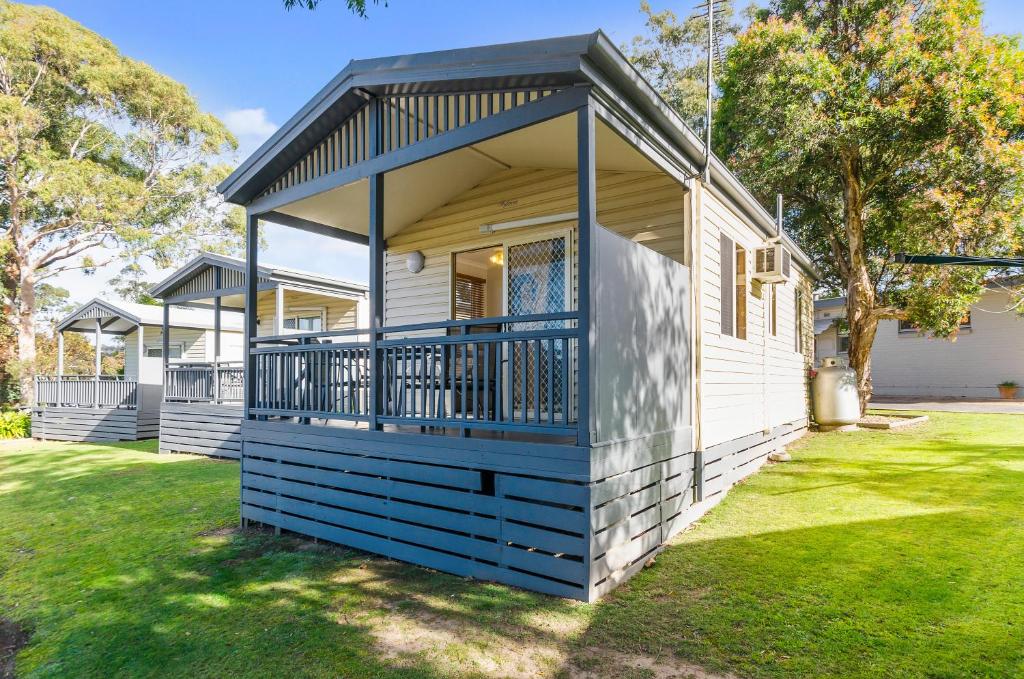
column 860, row 292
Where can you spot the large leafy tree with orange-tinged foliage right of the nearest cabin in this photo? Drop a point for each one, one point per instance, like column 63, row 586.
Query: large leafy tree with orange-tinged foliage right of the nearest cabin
column 890, row 126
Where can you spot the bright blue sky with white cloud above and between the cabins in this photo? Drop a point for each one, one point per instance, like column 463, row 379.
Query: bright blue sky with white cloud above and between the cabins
column 253, row 64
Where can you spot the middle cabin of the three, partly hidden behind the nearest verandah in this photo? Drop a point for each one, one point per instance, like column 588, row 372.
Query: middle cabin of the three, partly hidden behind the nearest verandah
column 201, row 412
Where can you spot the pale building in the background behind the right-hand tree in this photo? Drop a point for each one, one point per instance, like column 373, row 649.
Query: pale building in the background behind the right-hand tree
column 908, row 363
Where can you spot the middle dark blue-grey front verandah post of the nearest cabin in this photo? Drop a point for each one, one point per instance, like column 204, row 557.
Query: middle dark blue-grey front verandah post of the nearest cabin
column 376, row 271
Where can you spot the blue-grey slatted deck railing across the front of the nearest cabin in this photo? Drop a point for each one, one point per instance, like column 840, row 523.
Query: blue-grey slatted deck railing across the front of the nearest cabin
column 509, row 373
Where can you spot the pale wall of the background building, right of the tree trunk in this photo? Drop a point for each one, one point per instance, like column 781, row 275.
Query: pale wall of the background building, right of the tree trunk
column 990, row 353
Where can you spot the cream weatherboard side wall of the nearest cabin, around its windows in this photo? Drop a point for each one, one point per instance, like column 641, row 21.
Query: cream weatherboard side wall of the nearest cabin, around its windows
column 752, row 385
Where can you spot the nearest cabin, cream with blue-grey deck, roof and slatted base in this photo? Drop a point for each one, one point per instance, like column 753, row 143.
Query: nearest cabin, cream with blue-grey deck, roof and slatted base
column 582, row 330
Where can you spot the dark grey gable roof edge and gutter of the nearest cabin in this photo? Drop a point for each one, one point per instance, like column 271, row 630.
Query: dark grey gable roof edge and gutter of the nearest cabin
column 590, row 59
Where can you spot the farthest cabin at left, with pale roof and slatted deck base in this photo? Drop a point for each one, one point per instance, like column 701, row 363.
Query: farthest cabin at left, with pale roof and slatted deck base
column 102, row 408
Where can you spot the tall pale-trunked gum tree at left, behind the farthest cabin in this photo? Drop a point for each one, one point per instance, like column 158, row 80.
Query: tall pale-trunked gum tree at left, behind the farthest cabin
column 104, row 163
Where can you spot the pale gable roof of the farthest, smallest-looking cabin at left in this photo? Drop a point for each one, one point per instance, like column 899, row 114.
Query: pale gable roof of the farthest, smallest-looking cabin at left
column 123, row 317
